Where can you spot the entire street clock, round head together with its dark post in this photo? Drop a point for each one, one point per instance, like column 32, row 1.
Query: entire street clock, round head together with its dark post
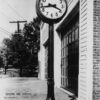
column 51, row 12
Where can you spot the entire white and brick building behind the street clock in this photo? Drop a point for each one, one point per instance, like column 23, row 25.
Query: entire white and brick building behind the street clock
column 76, row 50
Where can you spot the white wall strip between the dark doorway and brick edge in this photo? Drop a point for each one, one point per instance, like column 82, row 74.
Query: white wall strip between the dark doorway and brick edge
column 86, row 50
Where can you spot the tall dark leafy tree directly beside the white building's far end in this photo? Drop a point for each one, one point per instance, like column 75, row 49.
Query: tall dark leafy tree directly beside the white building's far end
column 32, row 41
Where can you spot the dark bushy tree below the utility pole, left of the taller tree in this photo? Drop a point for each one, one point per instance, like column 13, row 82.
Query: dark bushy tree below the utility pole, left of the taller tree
column 15, row 52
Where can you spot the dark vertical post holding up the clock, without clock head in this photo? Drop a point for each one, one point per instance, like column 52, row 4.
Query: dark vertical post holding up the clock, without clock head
column 50, row 83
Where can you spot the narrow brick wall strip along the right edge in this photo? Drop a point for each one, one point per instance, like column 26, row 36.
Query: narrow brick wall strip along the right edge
column 96, row 51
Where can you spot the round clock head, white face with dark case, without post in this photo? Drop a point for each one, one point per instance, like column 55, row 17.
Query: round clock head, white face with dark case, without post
column 51, row 11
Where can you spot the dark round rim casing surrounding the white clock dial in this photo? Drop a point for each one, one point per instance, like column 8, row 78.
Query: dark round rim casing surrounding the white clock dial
column 44, row 18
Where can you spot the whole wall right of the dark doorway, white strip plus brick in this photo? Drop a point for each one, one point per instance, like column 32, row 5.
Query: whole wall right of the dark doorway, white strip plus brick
column 89, row 71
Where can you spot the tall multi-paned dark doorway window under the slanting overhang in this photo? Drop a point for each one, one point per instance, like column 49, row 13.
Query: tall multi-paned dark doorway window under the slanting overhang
column 69, row 50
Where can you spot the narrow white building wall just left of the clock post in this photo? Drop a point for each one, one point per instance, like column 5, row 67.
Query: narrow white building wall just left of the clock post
column 43, row 39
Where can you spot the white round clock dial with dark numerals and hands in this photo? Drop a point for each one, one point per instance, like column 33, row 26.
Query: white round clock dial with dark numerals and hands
column 52, row 9
